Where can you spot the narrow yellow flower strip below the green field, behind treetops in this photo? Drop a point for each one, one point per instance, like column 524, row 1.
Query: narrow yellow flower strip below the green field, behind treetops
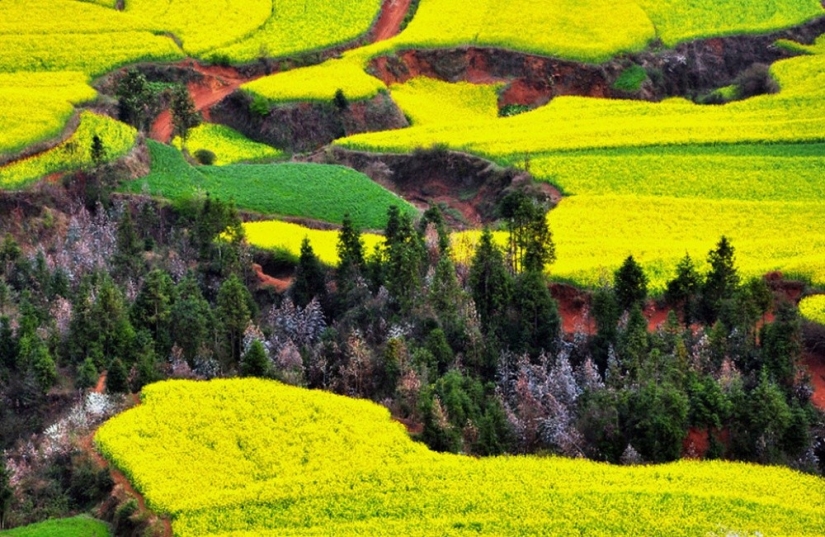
column 287, row 237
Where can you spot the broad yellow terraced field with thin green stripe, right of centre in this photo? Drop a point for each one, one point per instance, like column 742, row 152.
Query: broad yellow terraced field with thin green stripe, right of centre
column 658, row 179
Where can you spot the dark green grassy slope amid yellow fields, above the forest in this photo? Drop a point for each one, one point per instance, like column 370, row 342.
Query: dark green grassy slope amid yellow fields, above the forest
column 313, row 191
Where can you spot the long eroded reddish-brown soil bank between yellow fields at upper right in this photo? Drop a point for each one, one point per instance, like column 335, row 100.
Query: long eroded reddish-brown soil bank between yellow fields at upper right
column 689, row 70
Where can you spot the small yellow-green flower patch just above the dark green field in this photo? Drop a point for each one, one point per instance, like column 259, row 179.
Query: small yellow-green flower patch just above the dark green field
column 229, row 146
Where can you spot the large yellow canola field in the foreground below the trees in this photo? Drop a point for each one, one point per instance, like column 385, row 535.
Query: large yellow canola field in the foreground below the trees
column 255, row 457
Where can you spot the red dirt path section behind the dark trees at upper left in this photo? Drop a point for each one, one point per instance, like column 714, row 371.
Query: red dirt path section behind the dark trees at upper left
column 218, row 82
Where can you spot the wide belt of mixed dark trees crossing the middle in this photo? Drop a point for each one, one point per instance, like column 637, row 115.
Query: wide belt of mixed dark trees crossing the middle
column 472, row 357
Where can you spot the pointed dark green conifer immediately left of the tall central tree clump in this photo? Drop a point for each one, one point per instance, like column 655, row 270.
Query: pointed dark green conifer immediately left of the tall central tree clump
column 490, row 283
